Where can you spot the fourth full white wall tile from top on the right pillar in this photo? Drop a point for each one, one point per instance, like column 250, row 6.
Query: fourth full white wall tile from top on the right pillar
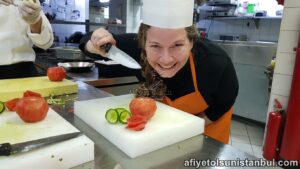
column 281, row 84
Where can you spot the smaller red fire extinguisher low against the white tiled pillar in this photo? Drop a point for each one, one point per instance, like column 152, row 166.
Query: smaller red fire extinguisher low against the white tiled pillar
column 274, row 133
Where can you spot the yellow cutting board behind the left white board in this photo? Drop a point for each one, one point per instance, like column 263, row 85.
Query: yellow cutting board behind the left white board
column 13, row 88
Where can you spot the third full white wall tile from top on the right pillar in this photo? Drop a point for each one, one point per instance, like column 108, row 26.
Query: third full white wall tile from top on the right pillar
column 285, row 63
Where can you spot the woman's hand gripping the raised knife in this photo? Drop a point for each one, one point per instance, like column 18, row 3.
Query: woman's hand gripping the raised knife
column 99, row 38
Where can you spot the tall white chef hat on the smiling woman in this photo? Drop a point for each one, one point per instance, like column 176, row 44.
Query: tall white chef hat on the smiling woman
column 168, row 13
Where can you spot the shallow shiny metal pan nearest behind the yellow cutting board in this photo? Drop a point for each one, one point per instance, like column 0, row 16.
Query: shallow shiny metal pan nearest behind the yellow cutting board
column 77, row 66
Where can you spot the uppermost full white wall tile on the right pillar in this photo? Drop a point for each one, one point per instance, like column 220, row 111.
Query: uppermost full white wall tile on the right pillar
column 291, row 19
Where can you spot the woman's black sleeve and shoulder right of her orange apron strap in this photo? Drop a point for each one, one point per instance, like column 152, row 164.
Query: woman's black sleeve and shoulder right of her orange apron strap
column 217, row 79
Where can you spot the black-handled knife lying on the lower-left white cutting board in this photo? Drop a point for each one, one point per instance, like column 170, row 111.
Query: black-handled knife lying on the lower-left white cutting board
column 7, row 149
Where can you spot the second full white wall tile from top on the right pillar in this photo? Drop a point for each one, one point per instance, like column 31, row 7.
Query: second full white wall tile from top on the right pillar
column 287, row 41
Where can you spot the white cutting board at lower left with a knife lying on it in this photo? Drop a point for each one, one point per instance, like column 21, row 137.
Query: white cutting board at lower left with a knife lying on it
column 61, row 155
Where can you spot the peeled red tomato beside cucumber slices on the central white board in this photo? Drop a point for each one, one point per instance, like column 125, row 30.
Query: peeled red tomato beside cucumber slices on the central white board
column 143, row 106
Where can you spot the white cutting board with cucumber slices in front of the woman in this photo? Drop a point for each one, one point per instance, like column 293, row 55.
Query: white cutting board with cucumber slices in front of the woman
column 167, row 126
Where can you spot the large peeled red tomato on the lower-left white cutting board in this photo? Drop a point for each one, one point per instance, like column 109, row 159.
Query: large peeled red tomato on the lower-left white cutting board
column 32, row 109
